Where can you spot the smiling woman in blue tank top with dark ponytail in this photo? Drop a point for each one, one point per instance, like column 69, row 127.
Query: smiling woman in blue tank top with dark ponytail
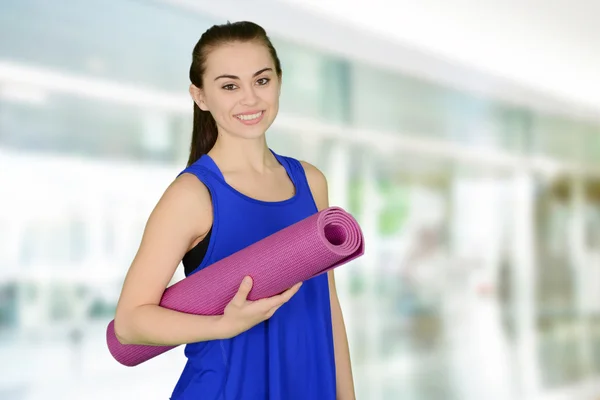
column 236, row 191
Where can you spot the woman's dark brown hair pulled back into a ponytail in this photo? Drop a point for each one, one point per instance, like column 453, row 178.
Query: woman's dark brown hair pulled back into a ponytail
column 204, row 133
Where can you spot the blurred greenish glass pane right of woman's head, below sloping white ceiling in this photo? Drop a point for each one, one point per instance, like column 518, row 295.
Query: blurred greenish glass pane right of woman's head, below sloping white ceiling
column 409, row 106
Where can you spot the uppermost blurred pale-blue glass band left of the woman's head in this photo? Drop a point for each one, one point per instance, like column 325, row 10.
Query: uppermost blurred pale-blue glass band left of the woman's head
column 129, row 41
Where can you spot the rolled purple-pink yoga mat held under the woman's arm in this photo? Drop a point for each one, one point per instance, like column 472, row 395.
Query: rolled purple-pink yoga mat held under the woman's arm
column 310, row 247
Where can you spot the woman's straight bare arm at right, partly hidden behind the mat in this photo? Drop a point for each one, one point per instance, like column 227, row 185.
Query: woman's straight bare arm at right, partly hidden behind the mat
column 344, row 378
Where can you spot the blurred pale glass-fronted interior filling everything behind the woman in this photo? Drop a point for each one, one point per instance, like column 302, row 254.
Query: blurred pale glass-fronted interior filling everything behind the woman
column 464, row 136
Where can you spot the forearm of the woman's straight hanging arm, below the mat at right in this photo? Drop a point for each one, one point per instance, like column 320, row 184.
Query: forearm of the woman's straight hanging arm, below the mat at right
column 344, row 378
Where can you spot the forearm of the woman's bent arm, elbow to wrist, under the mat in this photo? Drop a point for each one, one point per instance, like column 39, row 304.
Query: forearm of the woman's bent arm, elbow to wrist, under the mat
column 158, row 326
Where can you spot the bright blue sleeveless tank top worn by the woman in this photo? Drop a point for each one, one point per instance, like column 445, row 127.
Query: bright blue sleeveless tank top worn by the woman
column 287, row 357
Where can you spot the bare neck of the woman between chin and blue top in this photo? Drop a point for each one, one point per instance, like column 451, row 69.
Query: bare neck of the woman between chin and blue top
column 235, row 154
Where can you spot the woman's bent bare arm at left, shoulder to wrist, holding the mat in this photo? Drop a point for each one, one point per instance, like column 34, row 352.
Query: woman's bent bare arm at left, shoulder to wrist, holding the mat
column 182, row 216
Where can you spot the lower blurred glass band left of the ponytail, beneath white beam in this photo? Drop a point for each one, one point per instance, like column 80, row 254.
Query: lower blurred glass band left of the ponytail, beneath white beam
column 70, row 125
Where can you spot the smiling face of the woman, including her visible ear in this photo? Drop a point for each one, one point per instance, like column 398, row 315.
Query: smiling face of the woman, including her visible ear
column 241, row 89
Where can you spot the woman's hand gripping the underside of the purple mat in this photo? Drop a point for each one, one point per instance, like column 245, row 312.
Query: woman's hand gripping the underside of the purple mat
column 242, row 314
